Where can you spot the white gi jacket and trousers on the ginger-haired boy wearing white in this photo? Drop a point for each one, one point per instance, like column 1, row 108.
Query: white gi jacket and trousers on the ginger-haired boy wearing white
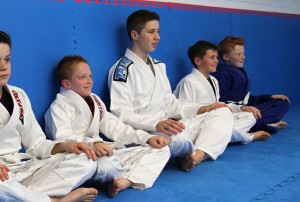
column 69, row 118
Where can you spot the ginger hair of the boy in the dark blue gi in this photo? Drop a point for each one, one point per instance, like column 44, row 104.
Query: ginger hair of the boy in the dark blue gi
column 228, row 44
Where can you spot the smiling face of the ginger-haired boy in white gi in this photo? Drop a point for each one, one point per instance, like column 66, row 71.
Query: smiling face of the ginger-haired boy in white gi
column 81, row 80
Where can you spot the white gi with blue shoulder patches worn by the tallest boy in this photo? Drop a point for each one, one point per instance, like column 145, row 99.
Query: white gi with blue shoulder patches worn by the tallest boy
column 142, row 98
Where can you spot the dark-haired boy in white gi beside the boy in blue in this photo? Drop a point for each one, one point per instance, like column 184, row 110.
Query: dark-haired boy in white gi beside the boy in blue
column 202, row 88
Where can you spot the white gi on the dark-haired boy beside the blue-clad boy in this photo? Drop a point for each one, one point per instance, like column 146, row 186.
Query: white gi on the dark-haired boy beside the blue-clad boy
column 196, row 88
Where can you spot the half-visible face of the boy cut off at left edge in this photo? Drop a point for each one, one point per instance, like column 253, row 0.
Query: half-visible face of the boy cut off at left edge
column 5, row 66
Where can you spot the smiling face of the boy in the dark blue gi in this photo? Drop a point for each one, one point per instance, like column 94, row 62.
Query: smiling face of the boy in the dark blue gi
column 236, row 57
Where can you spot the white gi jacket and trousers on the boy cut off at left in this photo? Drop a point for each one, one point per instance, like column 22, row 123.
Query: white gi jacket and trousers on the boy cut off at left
column 31, row 179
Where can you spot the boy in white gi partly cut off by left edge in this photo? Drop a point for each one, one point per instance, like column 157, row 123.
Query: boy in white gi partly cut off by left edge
column 24, row 177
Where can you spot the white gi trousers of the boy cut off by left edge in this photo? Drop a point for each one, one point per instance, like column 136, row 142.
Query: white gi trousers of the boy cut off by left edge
column 43, row 179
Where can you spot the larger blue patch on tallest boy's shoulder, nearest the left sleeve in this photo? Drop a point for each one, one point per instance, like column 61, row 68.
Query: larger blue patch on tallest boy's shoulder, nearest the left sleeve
column 121, row 70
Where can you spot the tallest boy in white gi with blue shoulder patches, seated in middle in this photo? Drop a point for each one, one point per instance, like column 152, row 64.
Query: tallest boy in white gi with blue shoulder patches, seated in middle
column 141, row 96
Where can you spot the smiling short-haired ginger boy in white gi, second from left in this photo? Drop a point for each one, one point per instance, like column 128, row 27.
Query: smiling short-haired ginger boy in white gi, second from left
column 79, row 115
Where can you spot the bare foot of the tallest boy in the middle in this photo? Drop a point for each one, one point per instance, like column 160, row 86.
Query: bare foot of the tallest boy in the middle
column 188, row 162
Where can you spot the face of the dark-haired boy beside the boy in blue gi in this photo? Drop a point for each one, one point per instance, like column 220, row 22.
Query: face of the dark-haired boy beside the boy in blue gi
column 208, row 64
